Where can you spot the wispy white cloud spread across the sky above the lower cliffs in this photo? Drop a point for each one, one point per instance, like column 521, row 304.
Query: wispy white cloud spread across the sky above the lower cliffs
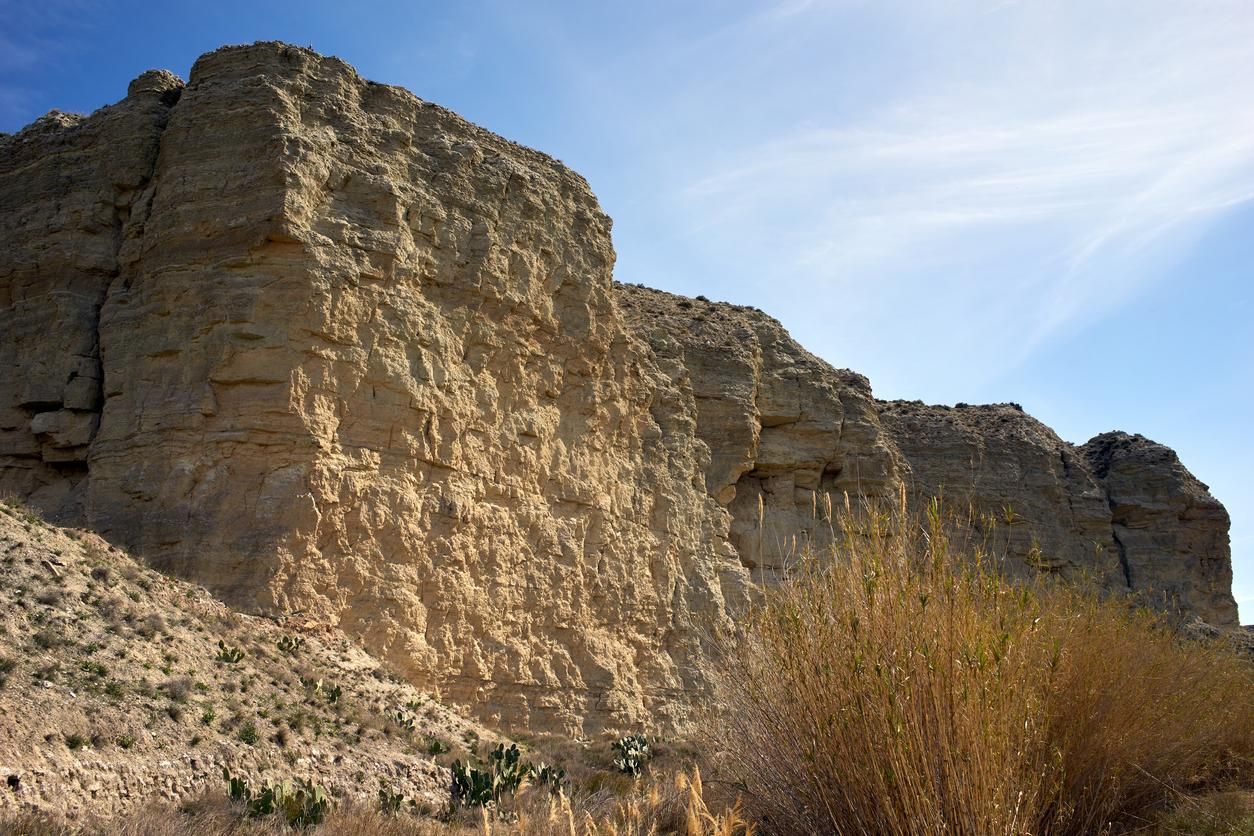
column 1046, row 164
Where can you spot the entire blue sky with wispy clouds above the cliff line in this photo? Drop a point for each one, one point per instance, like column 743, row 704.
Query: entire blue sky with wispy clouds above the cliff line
column 1040, row 201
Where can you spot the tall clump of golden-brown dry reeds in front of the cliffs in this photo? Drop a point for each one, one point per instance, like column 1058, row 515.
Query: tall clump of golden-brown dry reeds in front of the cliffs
column 902, row 686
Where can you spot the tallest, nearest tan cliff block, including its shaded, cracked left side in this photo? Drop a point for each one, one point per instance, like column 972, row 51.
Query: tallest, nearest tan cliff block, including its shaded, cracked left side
column 362, row 362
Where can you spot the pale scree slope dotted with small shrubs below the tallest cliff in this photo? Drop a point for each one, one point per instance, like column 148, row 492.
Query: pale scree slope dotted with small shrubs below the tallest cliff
column 115, row 692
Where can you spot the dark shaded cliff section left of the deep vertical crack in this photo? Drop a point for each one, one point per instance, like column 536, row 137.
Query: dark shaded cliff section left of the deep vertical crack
column 71, row 192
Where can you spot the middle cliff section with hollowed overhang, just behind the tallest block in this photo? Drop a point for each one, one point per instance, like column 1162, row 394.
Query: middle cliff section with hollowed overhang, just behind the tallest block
column 784, row 429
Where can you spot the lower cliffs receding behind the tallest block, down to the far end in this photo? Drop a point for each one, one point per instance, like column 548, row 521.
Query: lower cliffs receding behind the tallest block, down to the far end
column 786, row 428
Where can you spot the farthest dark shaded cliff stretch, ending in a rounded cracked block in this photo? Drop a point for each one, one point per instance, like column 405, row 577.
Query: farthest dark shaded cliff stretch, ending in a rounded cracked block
column 1120, row 512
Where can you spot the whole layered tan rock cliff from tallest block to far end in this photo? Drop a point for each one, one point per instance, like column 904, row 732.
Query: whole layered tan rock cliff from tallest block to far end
column 327, row 348
